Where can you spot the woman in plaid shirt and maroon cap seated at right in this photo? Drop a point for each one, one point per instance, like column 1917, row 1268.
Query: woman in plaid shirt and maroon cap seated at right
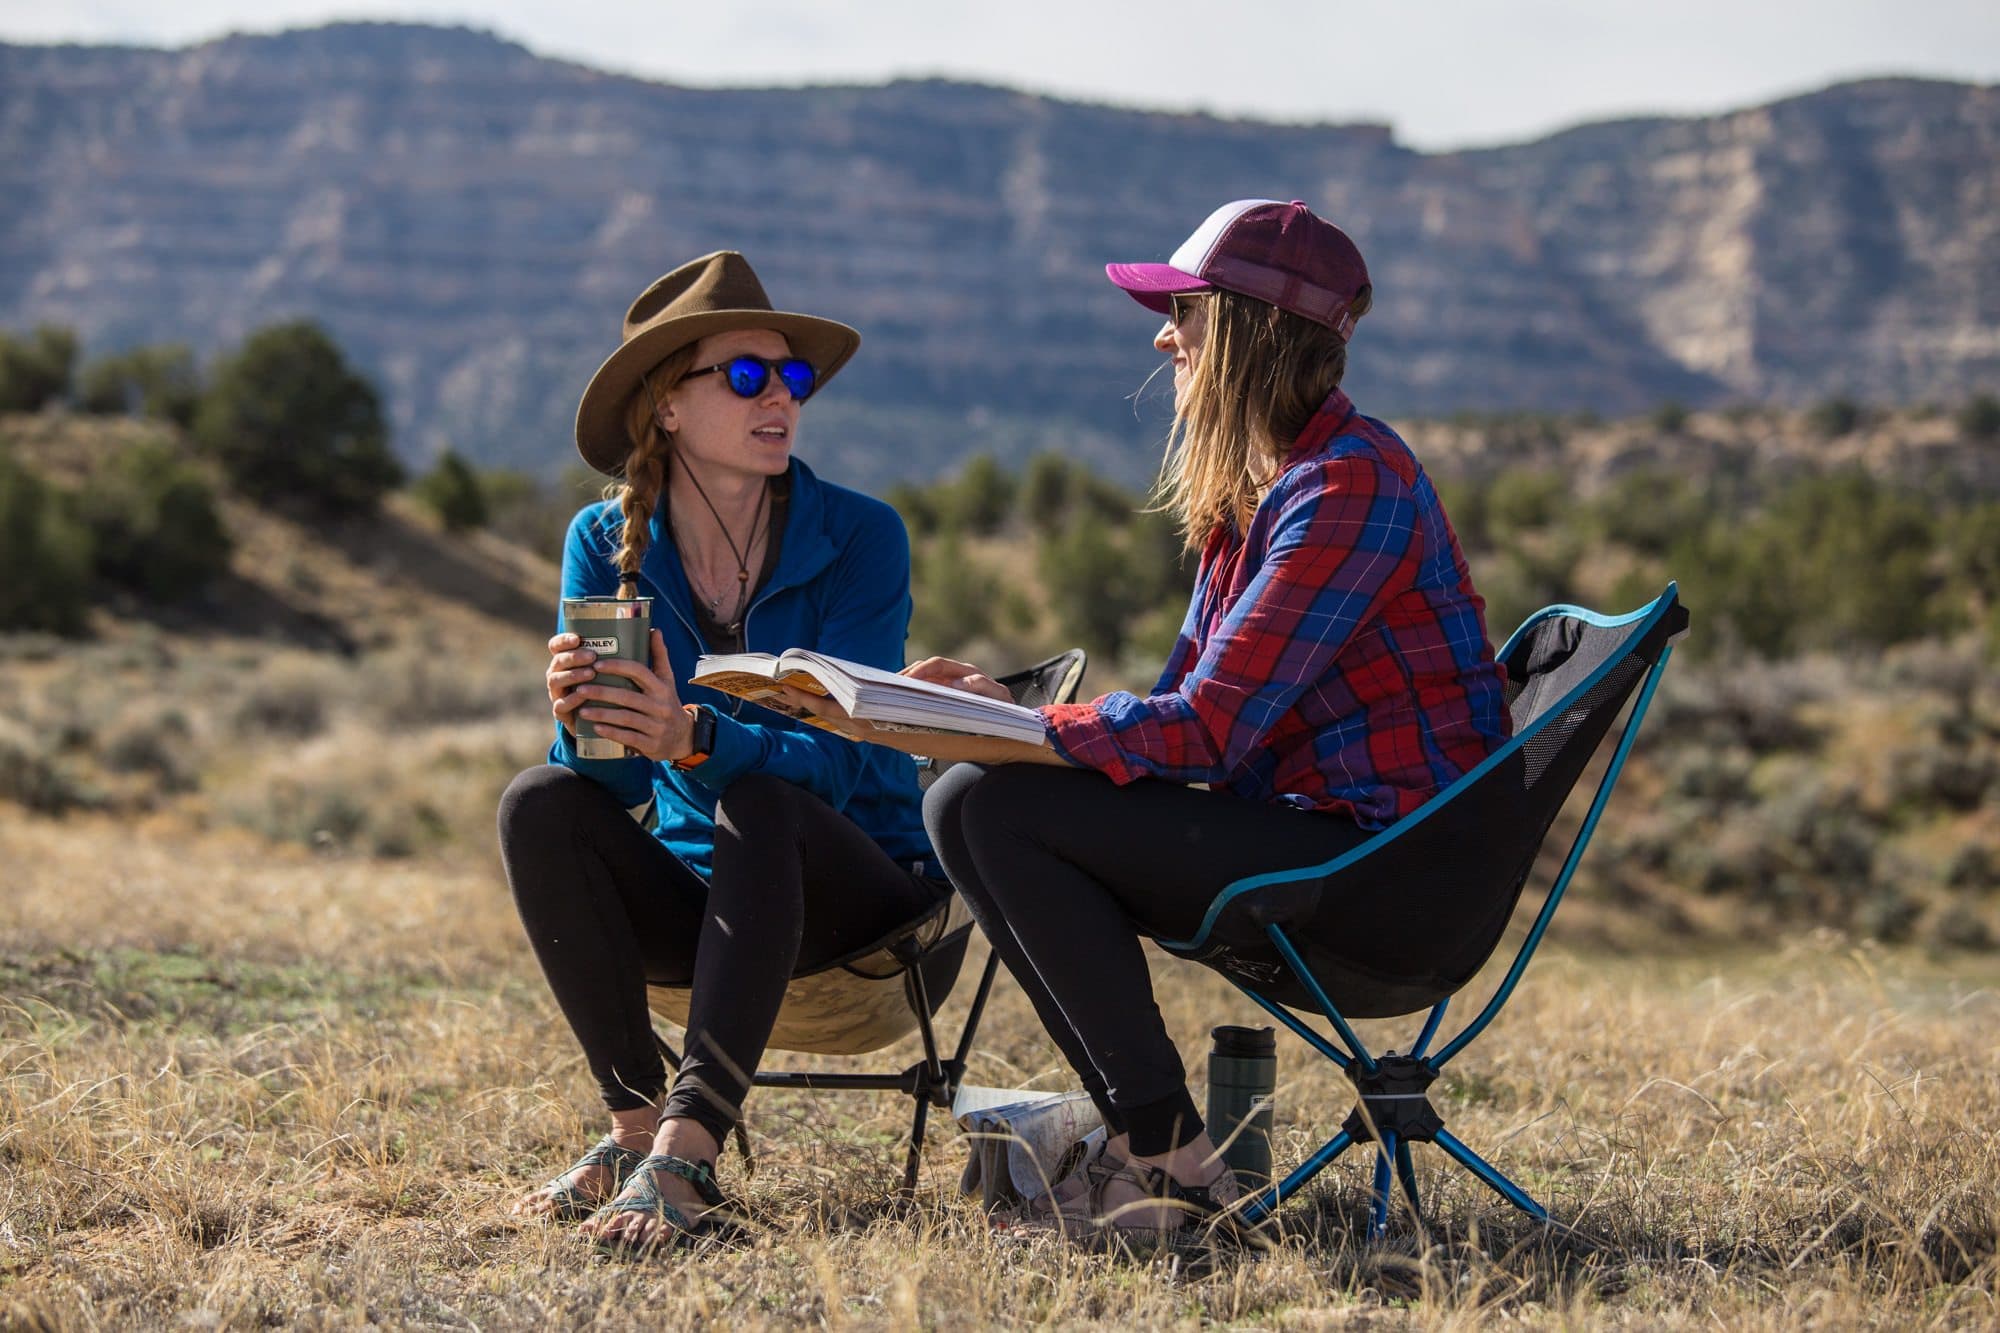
column 1333, row 674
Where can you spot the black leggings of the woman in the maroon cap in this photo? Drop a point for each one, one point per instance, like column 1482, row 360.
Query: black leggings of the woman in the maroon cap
column 1067, row 872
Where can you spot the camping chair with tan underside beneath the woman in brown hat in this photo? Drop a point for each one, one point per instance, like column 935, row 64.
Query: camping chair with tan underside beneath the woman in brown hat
column 877, row 996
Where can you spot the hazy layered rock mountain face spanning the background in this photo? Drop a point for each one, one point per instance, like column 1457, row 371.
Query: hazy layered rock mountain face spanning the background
column 471, row 221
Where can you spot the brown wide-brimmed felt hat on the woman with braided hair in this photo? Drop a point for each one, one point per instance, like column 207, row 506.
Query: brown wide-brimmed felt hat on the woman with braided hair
column 703, row 297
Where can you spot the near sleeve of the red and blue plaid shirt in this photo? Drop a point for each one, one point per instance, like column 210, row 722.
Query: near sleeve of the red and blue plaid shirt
column 1343, row 545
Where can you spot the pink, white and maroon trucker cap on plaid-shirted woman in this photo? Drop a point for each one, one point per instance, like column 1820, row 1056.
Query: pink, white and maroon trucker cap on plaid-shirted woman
column 1279, row 253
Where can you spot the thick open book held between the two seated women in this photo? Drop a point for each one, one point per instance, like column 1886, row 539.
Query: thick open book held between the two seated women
column 869, row 694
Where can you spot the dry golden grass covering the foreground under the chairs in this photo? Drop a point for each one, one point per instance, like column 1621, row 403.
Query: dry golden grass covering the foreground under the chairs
column 243, row 1086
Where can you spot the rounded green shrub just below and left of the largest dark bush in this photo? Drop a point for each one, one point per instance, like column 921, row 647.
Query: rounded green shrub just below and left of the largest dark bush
column 155, row 523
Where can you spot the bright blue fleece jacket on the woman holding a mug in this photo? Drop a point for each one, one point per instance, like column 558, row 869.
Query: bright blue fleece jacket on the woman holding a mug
column 841, row 587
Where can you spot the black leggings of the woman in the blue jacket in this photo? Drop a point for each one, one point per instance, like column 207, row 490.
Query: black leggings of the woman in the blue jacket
column 609, row 910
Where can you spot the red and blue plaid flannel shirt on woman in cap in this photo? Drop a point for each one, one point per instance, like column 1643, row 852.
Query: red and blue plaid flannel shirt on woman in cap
column 1333, row 657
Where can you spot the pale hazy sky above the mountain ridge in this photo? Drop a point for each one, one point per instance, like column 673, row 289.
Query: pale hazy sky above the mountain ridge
column 1445, row 73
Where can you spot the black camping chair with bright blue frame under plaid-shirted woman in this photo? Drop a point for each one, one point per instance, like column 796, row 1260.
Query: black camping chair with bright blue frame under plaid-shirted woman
column 1571, row 674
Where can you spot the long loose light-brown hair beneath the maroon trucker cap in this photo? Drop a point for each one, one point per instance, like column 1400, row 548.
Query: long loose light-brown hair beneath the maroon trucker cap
column 1257, row 381
